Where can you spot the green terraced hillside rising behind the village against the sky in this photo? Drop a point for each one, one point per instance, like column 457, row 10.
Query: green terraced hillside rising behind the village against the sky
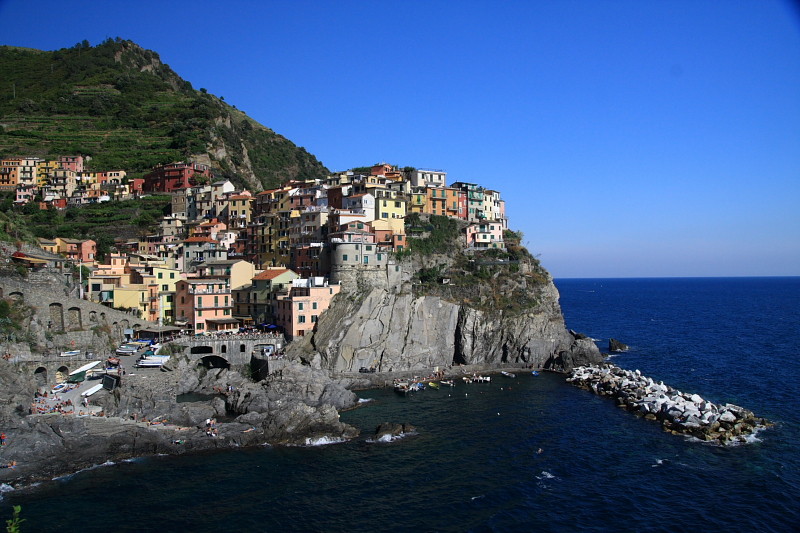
column 117, row 103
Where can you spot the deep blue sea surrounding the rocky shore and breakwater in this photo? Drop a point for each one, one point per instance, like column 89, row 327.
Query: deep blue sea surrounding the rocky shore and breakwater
column 476, row 464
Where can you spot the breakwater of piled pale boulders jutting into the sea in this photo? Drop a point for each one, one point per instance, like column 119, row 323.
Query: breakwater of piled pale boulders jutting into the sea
column 679, row 413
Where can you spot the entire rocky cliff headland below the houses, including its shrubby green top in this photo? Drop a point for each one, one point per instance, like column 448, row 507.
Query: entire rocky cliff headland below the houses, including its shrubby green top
column 398, row 323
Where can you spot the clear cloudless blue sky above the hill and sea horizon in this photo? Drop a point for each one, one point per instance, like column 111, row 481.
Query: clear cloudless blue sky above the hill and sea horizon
column 628, row 138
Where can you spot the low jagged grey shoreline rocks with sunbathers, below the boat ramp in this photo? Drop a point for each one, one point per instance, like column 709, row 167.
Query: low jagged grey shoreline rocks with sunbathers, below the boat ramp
column 144, row 417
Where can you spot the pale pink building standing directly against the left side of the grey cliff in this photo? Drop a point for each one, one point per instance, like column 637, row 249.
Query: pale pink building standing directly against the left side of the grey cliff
column 298, row 312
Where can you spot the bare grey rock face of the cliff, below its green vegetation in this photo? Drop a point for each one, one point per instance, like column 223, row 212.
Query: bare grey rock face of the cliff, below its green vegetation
column 392, row 330
